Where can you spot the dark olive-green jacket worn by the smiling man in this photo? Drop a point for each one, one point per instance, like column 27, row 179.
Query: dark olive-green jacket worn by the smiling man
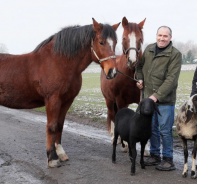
column 160, row 73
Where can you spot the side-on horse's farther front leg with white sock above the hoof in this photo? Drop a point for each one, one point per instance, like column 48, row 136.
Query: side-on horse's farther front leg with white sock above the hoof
column 59, row 149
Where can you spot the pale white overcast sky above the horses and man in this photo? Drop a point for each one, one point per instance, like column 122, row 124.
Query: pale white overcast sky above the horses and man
column 25, row 23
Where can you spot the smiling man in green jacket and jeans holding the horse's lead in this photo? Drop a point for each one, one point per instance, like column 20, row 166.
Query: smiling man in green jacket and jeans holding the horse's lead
column 158, row 73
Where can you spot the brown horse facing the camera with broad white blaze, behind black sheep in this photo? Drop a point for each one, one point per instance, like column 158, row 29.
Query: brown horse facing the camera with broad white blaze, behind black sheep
column 122, row 91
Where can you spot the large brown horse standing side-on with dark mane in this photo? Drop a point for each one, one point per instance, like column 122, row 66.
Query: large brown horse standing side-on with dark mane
column 51, row 75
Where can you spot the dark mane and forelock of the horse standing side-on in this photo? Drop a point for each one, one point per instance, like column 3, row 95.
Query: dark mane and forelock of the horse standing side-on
column 70, row 40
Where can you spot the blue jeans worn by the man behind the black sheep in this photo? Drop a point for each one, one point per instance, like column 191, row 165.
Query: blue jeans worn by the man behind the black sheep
column 162, row 130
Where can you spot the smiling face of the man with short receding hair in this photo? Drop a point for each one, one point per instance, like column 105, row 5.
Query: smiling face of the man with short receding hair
column 163, row 37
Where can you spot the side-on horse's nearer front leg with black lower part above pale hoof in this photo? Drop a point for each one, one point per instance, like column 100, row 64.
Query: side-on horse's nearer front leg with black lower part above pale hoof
column 53, row 107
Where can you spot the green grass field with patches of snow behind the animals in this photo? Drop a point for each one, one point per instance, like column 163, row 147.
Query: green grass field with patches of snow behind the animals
column 91, row 103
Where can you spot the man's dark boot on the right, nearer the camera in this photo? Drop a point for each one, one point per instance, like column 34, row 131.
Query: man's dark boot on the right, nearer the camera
column 166, row 164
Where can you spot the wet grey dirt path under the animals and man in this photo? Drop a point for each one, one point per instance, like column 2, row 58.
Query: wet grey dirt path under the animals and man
column 23, row 155
